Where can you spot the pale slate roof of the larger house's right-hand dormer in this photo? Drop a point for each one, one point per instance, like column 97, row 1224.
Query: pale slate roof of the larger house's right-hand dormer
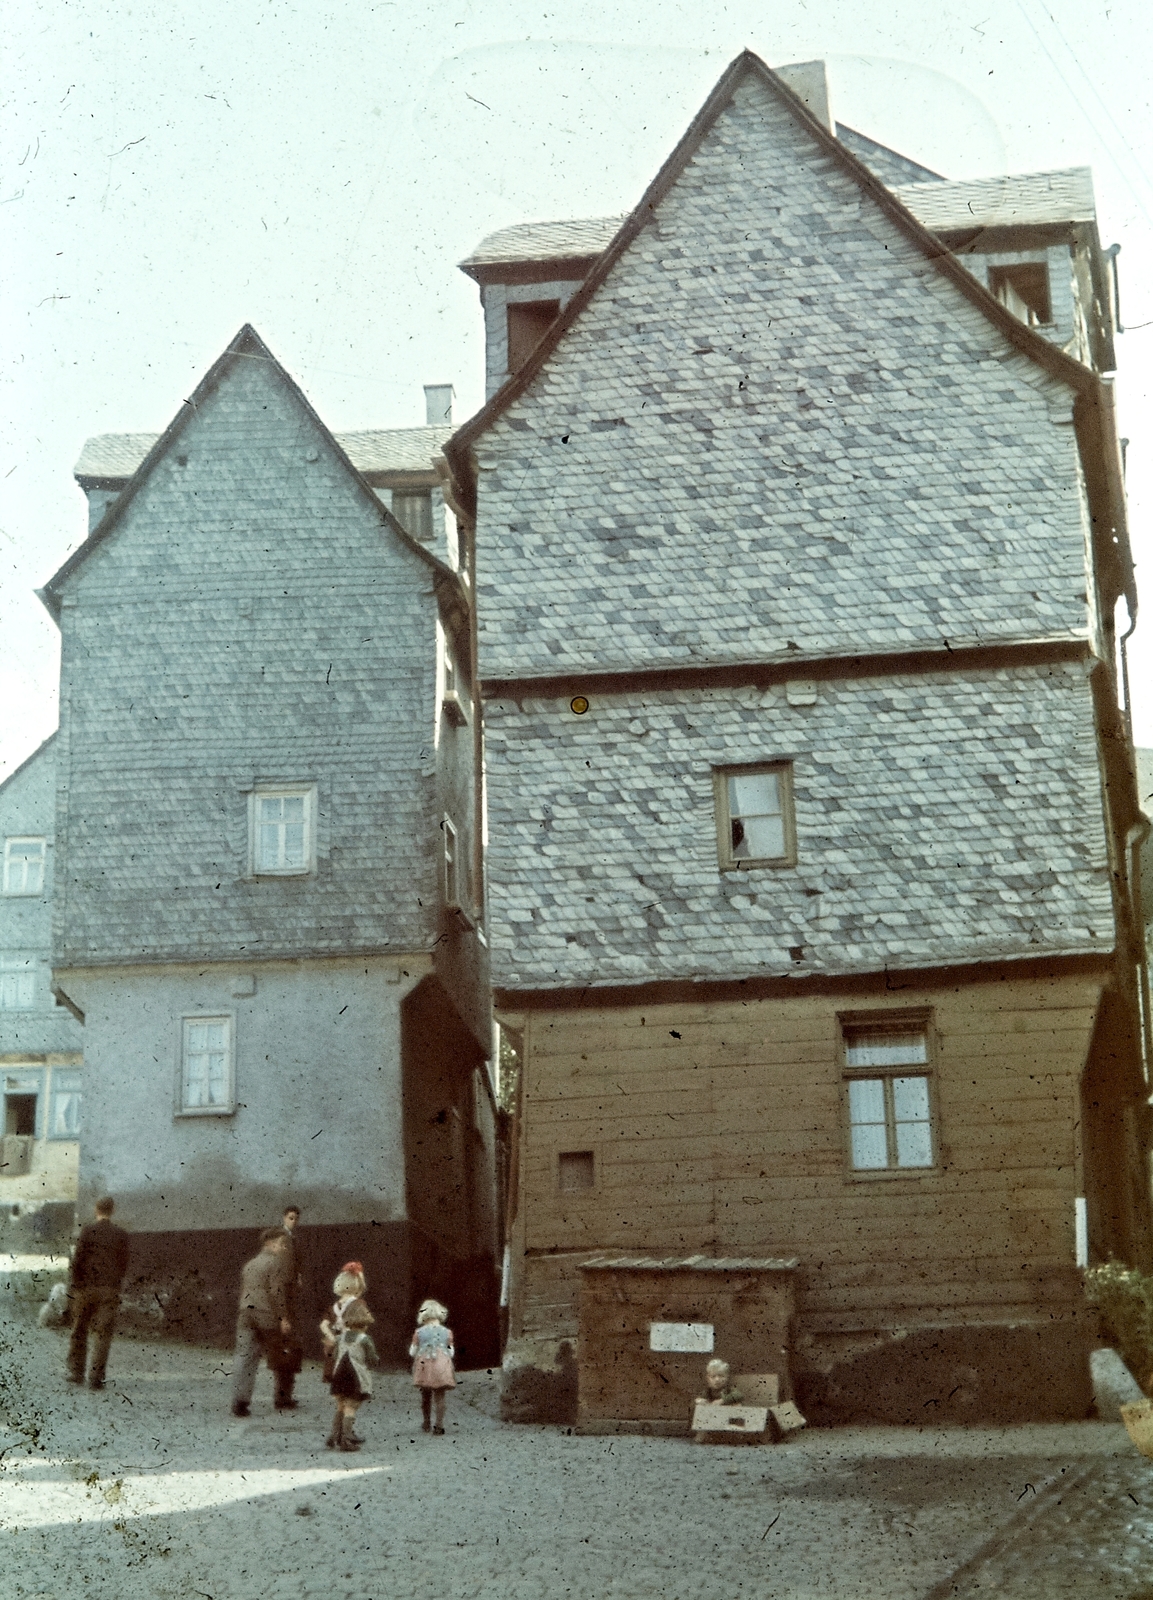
column 1013, row 201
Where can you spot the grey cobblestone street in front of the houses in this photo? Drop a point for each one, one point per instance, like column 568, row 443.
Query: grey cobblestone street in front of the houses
column 153, row 1490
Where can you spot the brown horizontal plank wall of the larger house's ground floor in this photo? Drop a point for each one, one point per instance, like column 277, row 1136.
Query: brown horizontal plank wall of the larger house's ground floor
column 717, row 1129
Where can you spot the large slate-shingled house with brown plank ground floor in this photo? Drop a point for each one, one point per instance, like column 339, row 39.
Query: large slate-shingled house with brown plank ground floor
column 812, row 809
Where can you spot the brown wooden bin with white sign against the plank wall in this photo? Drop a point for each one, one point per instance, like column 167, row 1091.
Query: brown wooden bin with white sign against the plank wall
column 623, row 1380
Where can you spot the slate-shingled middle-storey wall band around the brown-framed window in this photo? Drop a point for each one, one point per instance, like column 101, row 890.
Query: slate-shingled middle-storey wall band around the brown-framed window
column 940, row 818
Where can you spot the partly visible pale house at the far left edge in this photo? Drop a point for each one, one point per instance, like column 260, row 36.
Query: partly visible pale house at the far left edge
column 41, row 1044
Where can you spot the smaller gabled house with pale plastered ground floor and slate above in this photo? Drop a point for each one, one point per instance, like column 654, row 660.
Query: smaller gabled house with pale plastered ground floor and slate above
column 269, row 890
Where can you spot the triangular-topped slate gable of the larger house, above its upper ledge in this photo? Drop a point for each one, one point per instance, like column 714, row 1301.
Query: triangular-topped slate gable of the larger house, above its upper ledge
column 775, row 420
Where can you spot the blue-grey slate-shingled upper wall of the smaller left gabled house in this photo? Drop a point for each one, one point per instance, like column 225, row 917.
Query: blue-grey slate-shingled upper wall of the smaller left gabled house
column 250, row 618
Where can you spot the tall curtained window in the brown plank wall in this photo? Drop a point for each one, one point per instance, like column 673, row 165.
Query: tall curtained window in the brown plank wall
column 890, row 1097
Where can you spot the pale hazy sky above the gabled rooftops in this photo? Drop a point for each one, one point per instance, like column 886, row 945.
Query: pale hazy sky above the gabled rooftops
column 170, row 174
